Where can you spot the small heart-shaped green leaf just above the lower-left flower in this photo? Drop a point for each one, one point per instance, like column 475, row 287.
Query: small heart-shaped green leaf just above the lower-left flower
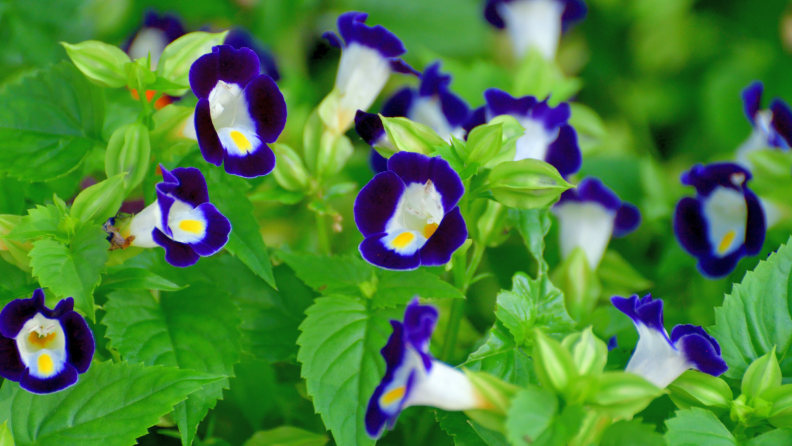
column 73, row 270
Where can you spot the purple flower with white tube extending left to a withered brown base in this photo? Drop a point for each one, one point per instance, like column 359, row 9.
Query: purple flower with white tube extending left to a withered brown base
column 181, row 220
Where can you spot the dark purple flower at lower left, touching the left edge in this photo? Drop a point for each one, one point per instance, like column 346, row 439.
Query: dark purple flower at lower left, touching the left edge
column 43, row 350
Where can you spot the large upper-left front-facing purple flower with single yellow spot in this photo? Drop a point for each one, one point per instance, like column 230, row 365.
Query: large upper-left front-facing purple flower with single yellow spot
column 239, row 111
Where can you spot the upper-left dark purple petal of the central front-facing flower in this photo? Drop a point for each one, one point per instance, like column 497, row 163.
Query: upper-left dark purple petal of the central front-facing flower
column 376, row 203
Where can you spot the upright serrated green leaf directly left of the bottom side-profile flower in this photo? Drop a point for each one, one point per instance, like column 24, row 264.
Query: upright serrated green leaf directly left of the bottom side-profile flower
column 340, row 352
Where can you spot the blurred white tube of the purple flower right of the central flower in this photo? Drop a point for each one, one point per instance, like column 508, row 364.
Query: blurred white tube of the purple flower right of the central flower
column 585, row 225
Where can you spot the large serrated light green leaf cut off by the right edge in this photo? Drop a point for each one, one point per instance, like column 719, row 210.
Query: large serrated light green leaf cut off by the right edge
column 749, row 325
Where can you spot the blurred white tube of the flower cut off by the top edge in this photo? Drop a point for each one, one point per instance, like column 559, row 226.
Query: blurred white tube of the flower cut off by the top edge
column 533, row 24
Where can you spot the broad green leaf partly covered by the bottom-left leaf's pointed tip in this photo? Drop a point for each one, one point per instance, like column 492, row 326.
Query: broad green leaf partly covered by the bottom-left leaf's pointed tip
column 193, row 329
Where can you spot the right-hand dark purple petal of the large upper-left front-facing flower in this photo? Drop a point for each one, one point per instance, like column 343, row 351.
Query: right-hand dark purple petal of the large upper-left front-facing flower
column 267, row 107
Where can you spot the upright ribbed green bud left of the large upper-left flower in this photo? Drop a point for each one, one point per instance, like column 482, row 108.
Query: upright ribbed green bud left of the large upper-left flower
column 129, row 153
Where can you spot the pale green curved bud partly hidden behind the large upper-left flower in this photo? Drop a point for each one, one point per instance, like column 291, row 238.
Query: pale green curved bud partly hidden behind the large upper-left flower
column 177, row 58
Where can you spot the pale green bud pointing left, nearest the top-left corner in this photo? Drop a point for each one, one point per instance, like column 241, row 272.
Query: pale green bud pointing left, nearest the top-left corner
column 101, row 63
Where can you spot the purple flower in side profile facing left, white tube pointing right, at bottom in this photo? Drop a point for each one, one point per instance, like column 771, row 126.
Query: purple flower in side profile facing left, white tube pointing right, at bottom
column 413, row 377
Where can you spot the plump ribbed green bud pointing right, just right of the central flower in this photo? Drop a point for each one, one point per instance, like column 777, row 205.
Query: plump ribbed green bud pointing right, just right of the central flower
column 526, row 184
